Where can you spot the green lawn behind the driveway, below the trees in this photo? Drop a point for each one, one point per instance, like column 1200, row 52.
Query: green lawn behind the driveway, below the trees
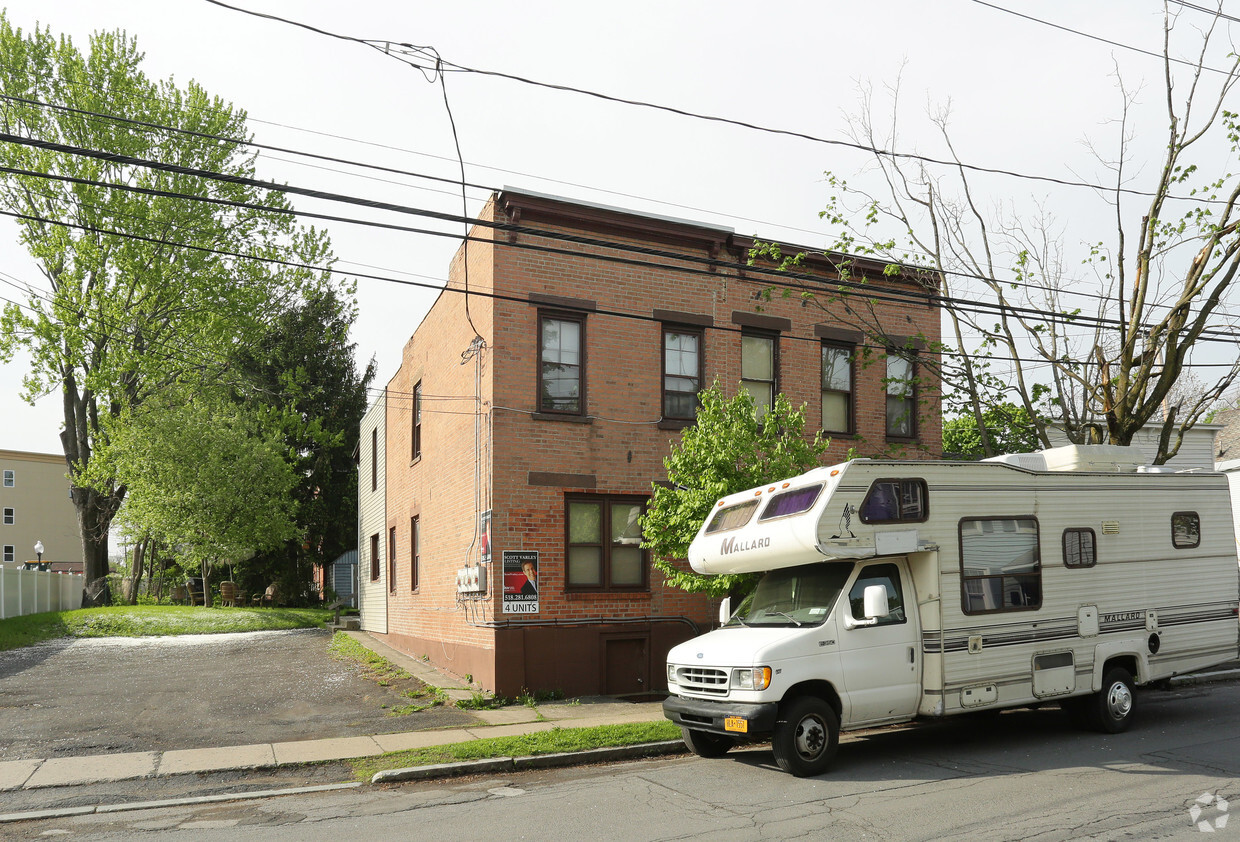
column 149, row 621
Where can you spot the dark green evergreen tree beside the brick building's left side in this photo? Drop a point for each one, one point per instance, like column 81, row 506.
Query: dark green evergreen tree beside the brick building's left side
column 307, row 359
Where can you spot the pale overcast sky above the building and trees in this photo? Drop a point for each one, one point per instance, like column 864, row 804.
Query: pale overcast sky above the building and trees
column 1025, row 97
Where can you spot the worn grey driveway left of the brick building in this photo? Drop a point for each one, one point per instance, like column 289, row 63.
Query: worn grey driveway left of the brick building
column 108, row 695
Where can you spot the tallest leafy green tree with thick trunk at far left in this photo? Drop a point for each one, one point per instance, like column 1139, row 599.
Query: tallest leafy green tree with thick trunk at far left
column 146, row 290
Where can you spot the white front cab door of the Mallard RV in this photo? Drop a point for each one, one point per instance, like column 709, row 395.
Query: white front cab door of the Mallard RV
column 881, row 658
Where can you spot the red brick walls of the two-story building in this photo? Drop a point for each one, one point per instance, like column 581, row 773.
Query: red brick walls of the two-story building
column 622, row 447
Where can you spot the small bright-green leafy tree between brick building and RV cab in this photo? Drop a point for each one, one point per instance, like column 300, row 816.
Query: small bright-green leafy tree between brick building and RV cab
column 726, row 451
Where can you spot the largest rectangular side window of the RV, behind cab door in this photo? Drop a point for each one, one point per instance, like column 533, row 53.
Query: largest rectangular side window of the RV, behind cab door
column 1000, row 565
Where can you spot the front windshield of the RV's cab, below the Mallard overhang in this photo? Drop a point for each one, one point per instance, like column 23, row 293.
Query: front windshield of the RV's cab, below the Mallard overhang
column 794, row 596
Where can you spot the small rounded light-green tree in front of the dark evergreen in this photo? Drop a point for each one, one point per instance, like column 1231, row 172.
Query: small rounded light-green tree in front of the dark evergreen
column 209, row 478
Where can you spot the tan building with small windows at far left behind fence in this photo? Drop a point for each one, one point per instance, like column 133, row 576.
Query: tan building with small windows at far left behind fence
column 35, row 507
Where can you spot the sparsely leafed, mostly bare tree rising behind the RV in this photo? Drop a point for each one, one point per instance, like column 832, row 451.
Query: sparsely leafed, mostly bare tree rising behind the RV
column 1103, row 370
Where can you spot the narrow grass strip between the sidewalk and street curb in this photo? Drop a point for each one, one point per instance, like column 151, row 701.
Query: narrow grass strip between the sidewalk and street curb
column 547, row 742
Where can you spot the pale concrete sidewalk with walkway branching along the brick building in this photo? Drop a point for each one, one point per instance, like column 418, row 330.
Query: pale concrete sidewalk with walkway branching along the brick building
column 505, row 722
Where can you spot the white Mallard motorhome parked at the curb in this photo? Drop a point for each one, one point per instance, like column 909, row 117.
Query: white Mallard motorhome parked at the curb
column 892, row 591
